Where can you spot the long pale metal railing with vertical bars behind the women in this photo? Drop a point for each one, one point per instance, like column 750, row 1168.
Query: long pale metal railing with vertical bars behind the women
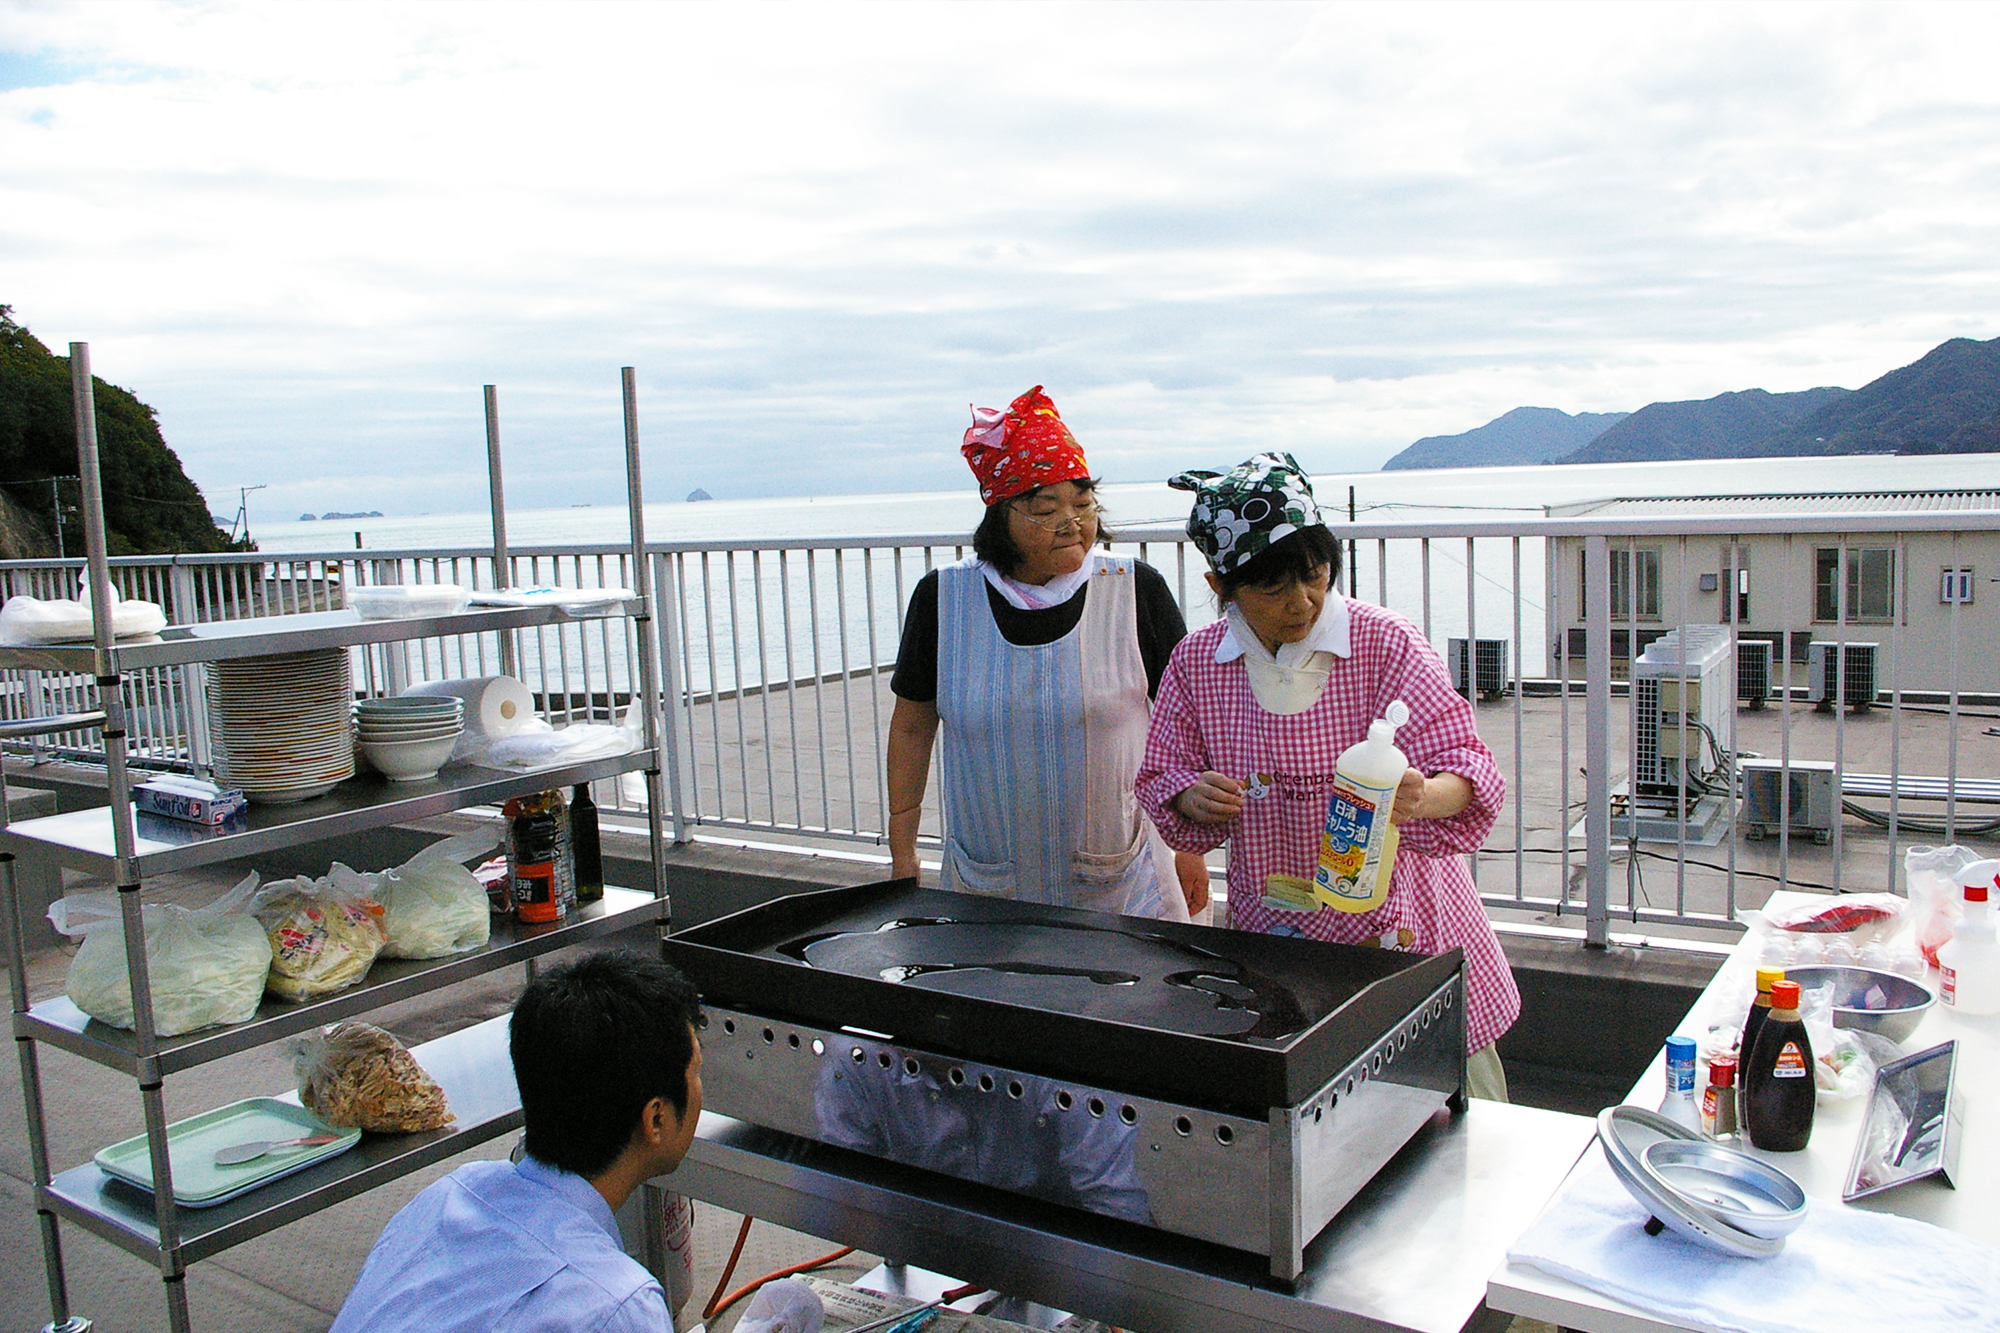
column 777, row 665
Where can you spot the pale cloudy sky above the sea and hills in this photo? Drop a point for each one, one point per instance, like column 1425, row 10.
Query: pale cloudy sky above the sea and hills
column 307, row 233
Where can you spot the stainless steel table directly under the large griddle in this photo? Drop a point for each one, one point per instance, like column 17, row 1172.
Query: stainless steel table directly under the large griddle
column 1411, row 1252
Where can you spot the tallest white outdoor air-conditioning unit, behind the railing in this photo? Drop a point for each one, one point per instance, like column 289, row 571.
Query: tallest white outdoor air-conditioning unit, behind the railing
column 1683, row 674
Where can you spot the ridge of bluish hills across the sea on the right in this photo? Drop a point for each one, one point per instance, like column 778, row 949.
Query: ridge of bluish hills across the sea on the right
column 1945, row 403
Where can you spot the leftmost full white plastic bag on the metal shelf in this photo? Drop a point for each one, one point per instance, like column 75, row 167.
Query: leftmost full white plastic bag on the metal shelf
column 205, row 966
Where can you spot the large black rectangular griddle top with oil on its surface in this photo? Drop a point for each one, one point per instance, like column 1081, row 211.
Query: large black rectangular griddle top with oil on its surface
column 1177, row 1012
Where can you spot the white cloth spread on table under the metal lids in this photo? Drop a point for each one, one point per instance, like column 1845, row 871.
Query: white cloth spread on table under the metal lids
column 1843, row 1270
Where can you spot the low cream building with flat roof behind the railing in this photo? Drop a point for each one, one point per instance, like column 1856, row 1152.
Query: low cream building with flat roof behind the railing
column 1931, row 601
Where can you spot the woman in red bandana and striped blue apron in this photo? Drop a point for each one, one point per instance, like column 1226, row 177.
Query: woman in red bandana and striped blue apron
column 1039, row 659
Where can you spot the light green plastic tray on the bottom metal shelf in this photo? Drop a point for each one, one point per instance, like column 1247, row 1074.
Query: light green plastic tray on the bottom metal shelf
column 191, row 1148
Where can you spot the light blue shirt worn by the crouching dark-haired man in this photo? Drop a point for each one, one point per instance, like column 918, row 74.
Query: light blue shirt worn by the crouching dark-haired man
column 507, row 1250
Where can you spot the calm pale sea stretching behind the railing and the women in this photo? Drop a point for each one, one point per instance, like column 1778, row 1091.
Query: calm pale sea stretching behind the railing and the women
column 761, row 619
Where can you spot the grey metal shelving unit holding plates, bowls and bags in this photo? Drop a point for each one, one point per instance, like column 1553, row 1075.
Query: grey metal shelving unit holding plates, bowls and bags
column 125, row 846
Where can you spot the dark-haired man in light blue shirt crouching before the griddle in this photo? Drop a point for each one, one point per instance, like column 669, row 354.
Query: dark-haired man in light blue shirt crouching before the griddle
column 611, row 1088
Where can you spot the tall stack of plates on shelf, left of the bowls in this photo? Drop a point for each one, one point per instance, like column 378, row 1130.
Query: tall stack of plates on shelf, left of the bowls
column 281, row 724
